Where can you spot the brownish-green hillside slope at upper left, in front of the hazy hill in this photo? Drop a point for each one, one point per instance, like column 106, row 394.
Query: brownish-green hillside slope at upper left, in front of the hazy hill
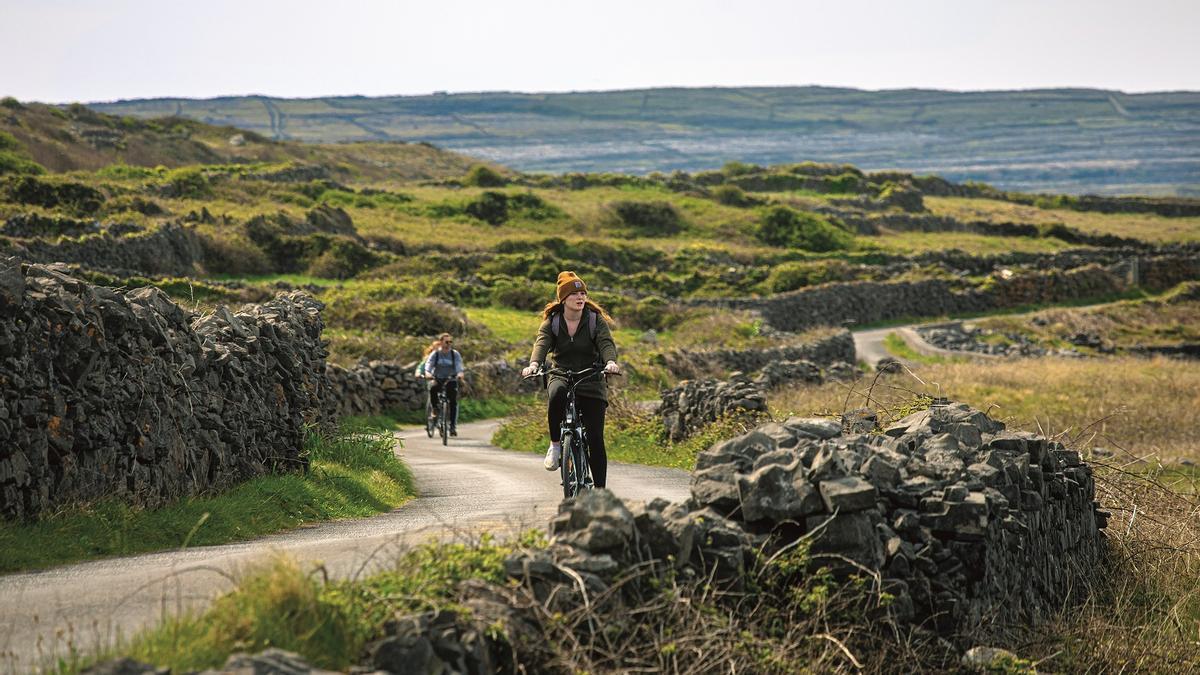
column 77, row 138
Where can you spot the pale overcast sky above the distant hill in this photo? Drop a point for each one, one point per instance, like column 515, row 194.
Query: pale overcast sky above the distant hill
column 62, row 51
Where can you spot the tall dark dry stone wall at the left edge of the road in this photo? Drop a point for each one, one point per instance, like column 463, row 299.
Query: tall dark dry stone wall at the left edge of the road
column 111, row 393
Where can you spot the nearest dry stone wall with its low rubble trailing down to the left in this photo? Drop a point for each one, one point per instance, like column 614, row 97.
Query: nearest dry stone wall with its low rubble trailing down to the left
column 973, row 531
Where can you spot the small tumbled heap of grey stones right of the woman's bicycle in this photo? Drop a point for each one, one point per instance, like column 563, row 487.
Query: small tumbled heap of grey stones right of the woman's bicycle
column 695, row 404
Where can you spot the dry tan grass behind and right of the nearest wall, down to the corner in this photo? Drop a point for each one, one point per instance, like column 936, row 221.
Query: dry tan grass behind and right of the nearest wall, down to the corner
column 1143, row 614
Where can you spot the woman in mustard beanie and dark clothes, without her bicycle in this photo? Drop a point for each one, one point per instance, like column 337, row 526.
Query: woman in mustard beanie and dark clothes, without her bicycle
column 575, row 334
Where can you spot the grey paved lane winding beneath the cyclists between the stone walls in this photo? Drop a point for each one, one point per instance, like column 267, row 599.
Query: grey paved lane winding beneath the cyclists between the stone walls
column 464, row 489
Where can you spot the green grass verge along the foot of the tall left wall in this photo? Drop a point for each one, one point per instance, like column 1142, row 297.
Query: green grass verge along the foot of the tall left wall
column 353, row 474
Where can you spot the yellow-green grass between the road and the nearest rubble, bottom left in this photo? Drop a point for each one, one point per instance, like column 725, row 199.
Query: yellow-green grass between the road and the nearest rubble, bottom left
column 327, row 623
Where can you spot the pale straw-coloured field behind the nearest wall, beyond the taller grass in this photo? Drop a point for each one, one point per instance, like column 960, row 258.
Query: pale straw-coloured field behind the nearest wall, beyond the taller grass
column 1132, row 407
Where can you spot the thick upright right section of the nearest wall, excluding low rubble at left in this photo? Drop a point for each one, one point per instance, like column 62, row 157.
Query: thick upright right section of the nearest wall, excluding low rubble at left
column 973, row 528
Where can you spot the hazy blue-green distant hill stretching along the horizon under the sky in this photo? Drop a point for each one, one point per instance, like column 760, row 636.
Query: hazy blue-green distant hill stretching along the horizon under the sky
column 1057, row 141
